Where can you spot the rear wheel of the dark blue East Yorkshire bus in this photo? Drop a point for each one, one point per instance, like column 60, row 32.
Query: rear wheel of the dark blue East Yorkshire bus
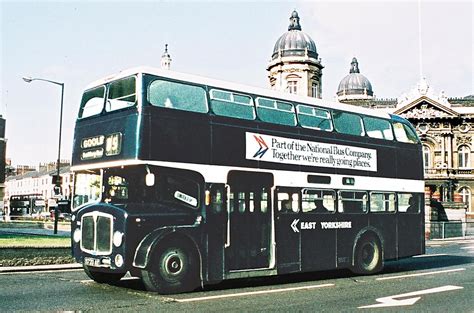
column 368, row 256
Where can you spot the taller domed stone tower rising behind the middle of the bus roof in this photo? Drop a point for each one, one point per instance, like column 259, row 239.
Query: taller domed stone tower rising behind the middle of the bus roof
column 295, row 66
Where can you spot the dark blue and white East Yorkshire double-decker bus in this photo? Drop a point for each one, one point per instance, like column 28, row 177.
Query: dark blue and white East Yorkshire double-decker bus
column 185, row 181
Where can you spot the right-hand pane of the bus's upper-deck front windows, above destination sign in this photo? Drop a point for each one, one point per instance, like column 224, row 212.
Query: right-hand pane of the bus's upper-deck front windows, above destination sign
column 122, row 94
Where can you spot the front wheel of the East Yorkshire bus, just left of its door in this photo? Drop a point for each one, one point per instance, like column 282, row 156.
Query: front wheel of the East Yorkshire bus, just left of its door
column 173, row 270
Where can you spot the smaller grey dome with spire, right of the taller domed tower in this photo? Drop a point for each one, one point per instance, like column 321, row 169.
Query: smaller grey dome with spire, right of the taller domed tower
column 355, row 85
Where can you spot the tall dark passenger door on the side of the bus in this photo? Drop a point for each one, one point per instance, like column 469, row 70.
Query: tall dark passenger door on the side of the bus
column 248, row 239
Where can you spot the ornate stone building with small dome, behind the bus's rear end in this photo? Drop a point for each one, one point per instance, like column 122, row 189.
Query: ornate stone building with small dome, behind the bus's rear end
column 446, row 128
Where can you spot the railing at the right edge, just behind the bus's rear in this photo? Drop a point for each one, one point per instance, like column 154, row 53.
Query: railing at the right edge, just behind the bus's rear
column 449, row 229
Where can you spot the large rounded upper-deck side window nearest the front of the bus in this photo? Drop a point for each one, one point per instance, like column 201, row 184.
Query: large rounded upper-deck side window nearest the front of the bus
column 177, row 96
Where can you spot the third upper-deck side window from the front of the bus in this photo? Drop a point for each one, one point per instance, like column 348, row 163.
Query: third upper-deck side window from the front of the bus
column 278, row 112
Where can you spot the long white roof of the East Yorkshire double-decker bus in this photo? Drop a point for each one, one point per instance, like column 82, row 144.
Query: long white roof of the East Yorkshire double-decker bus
column 237, row 87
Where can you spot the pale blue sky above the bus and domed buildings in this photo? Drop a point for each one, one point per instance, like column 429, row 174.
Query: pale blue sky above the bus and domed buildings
column 79, row 42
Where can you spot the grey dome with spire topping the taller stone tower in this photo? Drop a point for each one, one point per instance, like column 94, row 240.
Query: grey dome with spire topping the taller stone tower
column 294, row 42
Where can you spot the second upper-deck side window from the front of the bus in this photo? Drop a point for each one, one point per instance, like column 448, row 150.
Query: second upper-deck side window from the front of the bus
column 230, row 104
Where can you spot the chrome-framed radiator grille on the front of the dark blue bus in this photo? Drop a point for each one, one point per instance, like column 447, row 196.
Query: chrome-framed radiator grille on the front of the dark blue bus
column 97, row 233
